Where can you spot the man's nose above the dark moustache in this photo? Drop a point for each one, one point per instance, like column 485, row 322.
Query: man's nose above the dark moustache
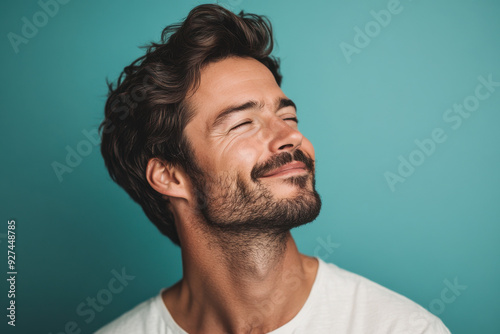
column 283, row 136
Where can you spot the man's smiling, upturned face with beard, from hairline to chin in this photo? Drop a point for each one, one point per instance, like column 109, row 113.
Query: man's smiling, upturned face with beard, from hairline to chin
column 257, row 169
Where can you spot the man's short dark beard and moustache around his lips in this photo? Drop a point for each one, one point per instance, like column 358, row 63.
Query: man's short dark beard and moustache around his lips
column 230, row 207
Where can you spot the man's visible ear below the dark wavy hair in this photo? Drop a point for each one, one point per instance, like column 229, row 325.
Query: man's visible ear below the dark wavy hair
column 166, row 179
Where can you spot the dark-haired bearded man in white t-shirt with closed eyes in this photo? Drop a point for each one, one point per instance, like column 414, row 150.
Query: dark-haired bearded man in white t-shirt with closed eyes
column 208, row 144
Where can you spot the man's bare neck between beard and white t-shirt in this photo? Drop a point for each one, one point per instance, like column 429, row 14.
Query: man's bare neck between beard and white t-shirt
column 239, row 284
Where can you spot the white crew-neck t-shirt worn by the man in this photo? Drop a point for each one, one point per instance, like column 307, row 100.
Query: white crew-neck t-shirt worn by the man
column 339, row 302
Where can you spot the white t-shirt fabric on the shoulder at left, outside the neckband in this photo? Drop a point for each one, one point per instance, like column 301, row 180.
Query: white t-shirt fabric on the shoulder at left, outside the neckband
column 143, row 318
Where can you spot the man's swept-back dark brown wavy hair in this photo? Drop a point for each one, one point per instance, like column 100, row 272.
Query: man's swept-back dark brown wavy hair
column 146, row 113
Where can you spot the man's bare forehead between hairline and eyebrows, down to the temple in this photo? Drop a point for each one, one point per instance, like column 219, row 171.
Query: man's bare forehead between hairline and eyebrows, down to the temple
column 229, row 82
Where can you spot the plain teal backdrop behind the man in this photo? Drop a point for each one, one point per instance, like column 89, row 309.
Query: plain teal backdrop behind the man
column 441, row 223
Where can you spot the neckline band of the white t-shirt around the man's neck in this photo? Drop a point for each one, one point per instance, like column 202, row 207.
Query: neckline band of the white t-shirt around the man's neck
column 168, row 319
